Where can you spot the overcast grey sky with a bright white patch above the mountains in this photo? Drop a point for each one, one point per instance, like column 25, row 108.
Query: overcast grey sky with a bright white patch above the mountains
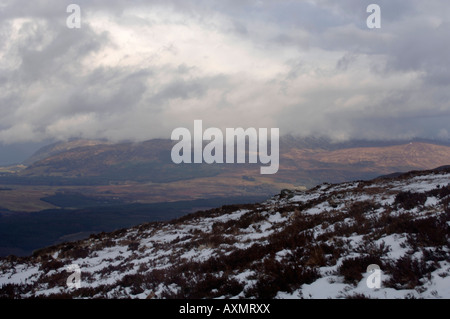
column 136, row 70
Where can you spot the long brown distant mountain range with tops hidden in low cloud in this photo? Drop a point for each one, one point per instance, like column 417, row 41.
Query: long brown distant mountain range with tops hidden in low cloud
column 148, row 159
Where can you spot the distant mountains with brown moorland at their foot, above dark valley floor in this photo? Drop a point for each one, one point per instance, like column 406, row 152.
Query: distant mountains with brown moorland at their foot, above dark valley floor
column 143, row 172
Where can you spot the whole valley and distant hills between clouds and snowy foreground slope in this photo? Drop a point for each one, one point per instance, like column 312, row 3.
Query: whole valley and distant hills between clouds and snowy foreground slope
column 84, row 187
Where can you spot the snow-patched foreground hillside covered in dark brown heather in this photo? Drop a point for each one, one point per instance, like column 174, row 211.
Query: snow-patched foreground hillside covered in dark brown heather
column 312, row 244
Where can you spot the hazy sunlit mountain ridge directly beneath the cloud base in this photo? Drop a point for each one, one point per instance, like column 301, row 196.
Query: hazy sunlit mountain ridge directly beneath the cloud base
column 94, row 158
